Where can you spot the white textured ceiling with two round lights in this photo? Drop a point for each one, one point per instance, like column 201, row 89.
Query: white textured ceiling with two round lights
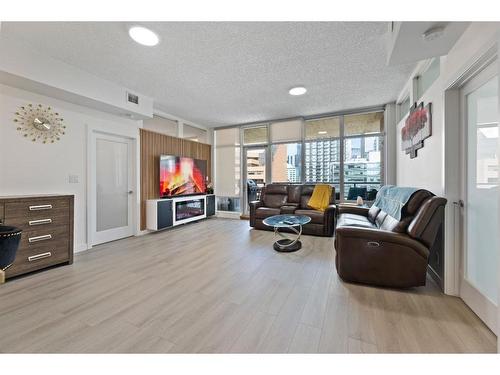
column 229, row 73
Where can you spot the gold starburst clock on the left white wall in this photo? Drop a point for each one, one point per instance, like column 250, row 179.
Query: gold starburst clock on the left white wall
column 39, row 123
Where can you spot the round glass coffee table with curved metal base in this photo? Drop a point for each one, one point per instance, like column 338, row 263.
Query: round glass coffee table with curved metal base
column 293, row 223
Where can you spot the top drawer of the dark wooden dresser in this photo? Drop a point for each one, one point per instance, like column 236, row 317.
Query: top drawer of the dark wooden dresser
column 36, row 208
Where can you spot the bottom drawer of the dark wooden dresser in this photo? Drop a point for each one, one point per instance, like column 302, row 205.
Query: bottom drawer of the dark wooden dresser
column 38, row 257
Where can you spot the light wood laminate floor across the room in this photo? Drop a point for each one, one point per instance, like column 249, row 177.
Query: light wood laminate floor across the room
column 217, row 286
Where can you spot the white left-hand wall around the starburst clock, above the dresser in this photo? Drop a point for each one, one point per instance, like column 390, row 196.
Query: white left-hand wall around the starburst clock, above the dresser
column 28, row 167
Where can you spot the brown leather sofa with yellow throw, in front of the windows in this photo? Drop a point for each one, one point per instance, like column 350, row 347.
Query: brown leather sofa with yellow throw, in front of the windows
column 279, row 199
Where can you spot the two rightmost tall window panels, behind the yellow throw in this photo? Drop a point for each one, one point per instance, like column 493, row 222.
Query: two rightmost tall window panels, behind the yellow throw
column 346, row 151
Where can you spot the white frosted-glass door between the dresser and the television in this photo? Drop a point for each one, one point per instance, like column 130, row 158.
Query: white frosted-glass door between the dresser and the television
column 112, row 187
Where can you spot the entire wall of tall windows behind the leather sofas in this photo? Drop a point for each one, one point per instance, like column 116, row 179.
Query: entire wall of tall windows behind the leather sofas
column 346, row 151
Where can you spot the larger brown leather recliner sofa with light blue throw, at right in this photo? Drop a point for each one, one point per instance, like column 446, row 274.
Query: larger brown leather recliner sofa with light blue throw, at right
column 375, row 248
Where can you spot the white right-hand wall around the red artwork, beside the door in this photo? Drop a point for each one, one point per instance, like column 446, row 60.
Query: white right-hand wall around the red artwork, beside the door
column 429, row 169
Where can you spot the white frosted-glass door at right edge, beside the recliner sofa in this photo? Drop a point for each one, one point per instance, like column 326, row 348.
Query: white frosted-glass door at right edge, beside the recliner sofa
column 480, row 191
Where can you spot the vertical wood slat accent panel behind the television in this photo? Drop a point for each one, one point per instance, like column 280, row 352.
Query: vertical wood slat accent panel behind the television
column 155, row 144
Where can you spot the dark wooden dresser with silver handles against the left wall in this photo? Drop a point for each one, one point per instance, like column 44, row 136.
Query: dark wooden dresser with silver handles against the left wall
column 47, row 225
